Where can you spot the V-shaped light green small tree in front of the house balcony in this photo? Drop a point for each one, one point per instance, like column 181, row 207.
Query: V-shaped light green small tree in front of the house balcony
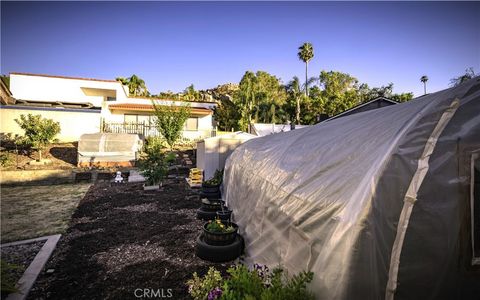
column 170, row 120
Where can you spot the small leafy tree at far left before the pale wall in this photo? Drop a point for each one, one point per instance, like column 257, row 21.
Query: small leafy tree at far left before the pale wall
column 39, row 132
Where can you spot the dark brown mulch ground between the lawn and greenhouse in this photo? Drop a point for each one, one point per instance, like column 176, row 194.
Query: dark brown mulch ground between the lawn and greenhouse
column 122, row 238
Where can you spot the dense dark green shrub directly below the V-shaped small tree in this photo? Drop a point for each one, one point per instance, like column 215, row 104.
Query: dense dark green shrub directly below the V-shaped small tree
column 153, row 163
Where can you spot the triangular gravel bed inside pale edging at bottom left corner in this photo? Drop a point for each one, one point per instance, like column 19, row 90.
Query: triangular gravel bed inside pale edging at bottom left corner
column 21, row 256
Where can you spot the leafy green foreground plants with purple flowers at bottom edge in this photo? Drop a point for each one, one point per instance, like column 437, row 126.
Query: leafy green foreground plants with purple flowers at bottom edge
column 256, row 283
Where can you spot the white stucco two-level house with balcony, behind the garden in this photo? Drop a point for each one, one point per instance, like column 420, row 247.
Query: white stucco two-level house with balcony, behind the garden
column 85, row 105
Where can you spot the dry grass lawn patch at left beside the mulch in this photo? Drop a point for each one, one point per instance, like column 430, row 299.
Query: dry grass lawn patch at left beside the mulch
column 33, row 211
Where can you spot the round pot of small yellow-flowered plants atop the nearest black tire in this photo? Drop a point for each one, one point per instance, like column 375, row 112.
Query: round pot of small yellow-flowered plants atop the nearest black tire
column 219, row 233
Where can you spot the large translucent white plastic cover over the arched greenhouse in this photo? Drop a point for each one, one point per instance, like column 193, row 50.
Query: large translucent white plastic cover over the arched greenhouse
column 376, row 204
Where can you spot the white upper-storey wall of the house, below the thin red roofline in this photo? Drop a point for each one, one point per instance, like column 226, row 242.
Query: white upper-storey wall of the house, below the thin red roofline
column 44, row 88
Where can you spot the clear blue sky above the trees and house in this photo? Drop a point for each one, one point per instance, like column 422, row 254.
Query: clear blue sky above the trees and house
column 173, row 44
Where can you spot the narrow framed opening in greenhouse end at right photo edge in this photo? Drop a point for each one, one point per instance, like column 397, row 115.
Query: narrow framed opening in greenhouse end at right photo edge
column 475, row 207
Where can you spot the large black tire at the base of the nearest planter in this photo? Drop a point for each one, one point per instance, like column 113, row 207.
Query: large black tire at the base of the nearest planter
column 219, row 253
